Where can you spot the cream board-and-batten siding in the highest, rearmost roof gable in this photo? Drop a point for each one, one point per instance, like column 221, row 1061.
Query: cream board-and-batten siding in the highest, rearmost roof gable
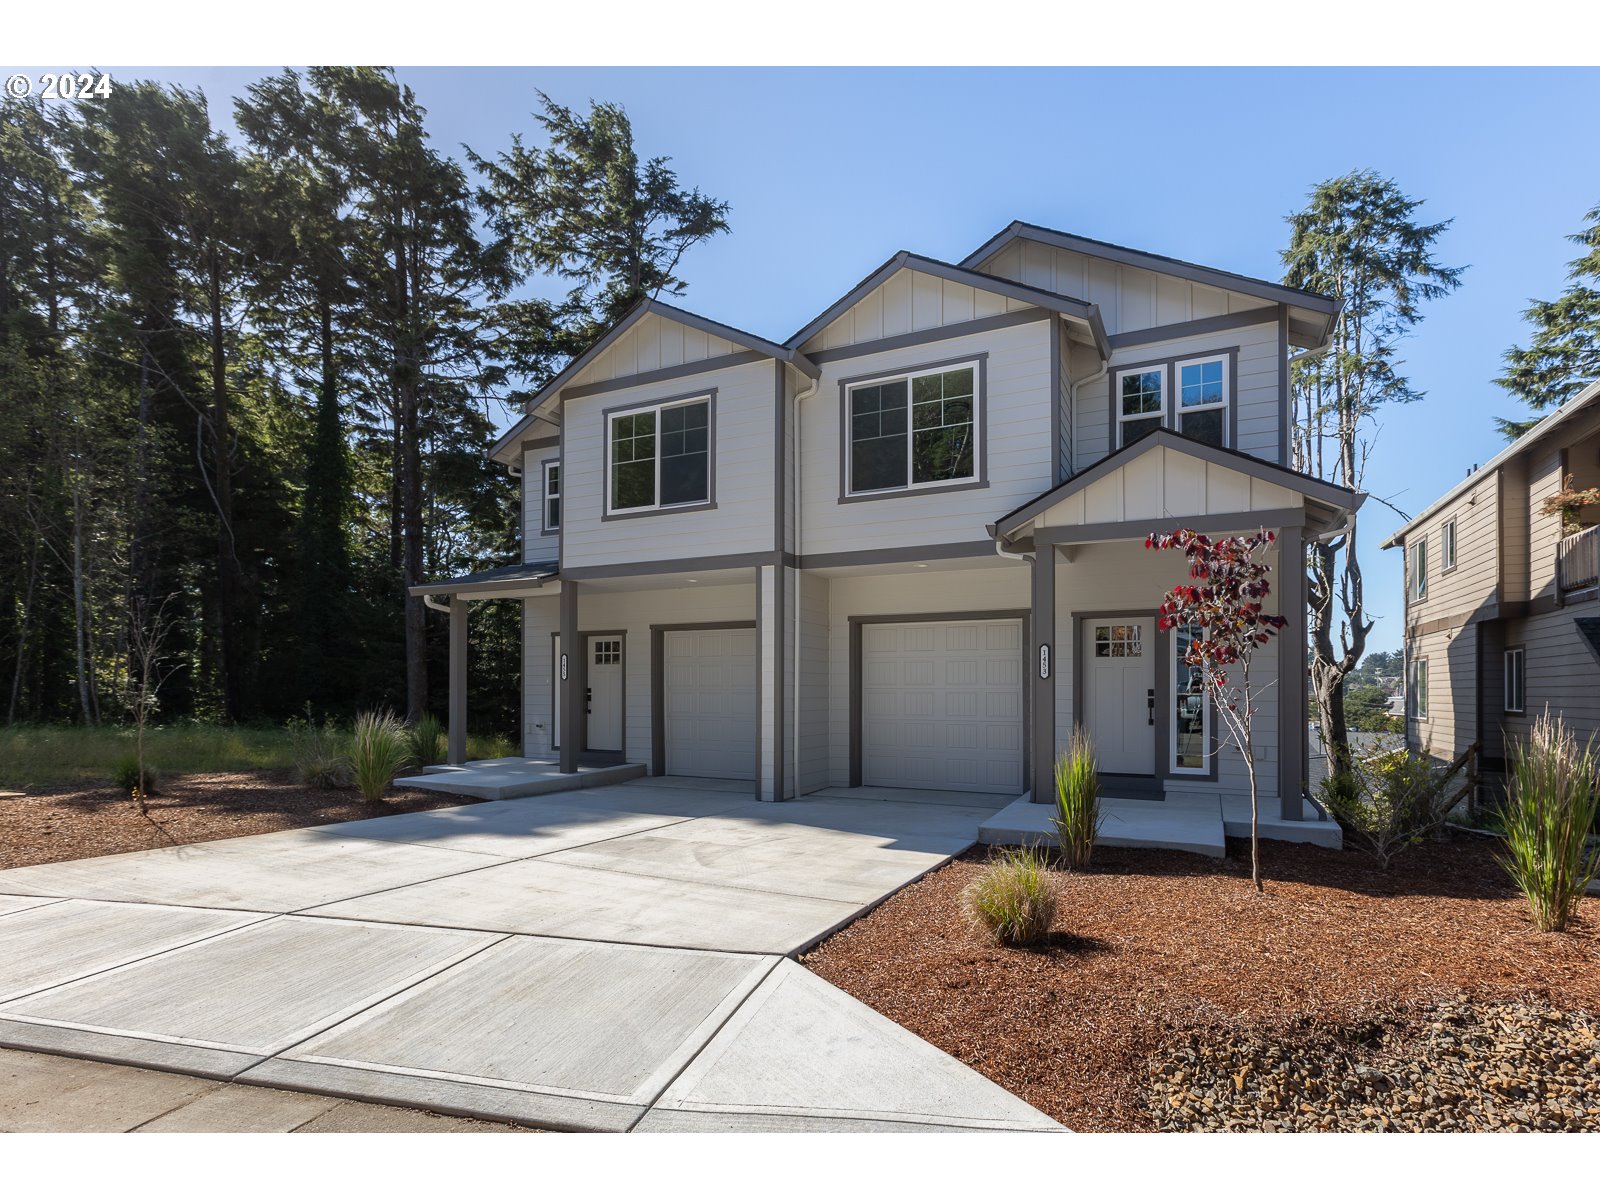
column 1130, row 298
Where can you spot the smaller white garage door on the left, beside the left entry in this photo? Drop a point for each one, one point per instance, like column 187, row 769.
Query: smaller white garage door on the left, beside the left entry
column 711, row 703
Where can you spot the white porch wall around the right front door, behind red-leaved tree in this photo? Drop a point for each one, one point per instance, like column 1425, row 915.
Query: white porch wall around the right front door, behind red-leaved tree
column 1127, row 578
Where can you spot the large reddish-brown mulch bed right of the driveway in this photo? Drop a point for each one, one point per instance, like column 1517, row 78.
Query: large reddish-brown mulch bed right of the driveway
column 1153, row 946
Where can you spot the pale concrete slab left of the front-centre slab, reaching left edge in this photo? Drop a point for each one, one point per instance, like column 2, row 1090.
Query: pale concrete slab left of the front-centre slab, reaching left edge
column 223, row 1006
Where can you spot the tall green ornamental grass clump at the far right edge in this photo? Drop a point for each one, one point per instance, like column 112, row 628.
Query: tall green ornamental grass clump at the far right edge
column 1550, row 818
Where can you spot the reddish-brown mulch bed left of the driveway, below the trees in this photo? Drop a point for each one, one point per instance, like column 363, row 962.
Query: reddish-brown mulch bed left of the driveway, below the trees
column 66, row 823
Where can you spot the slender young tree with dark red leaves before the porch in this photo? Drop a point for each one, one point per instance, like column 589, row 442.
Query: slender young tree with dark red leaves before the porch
column 1226, row 615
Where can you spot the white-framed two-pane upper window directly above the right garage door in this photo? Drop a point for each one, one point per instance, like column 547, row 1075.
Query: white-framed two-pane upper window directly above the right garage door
column 914, row 431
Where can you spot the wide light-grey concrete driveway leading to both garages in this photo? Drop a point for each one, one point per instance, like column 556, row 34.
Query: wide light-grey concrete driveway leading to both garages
column 614, row 959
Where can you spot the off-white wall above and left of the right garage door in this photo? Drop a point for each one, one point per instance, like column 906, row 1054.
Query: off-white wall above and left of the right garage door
column 1002, row 588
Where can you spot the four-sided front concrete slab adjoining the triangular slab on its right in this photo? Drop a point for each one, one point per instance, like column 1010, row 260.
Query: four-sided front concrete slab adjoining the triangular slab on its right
column 564, row 1034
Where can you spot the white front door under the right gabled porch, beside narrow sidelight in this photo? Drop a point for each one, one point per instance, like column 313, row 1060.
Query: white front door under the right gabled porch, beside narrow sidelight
column 1119, row 692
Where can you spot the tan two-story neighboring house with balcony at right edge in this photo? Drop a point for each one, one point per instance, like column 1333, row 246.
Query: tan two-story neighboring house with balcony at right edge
column 1502, row 606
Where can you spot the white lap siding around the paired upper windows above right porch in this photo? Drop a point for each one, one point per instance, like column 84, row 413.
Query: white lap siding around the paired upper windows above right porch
column 1260, row 415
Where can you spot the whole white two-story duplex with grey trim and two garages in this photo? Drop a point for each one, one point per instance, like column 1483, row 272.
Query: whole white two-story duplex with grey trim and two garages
column 905, row 548
